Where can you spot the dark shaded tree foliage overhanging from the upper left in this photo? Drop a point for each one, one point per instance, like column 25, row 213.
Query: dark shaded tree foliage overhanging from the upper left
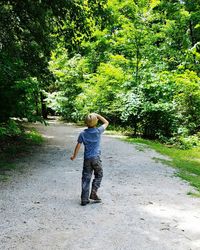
column 30, row 30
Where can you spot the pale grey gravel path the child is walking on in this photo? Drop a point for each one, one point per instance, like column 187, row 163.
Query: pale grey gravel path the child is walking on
column 145, row 207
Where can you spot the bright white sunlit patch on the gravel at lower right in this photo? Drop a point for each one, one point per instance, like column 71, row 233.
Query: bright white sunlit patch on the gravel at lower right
column 185, row 219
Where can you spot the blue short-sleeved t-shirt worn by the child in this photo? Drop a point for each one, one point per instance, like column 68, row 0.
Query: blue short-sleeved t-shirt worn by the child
column 90, row 137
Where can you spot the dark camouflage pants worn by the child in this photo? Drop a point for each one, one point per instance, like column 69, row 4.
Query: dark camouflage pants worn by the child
column 90, row 166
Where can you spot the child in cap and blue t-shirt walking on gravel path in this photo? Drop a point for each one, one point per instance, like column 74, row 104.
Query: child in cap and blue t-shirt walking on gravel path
column 90, row 137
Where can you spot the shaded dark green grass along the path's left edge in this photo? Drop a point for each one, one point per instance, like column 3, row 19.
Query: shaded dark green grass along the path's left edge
column 14, row 147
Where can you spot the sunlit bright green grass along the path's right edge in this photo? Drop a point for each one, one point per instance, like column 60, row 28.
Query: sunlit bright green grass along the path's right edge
column 186, row 161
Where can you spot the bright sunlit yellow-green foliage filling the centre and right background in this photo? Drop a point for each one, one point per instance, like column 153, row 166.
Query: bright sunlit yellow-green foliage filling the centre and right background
column 140, row 71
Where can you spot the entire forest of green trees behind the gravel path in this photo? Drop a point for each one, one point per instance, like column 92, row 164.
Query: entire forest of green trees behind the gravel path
column 135, row 62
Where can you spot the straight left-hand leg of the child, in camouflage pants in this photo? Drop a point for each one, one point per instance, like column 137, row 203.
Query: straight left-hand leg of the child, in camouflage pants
column 86, row 177
